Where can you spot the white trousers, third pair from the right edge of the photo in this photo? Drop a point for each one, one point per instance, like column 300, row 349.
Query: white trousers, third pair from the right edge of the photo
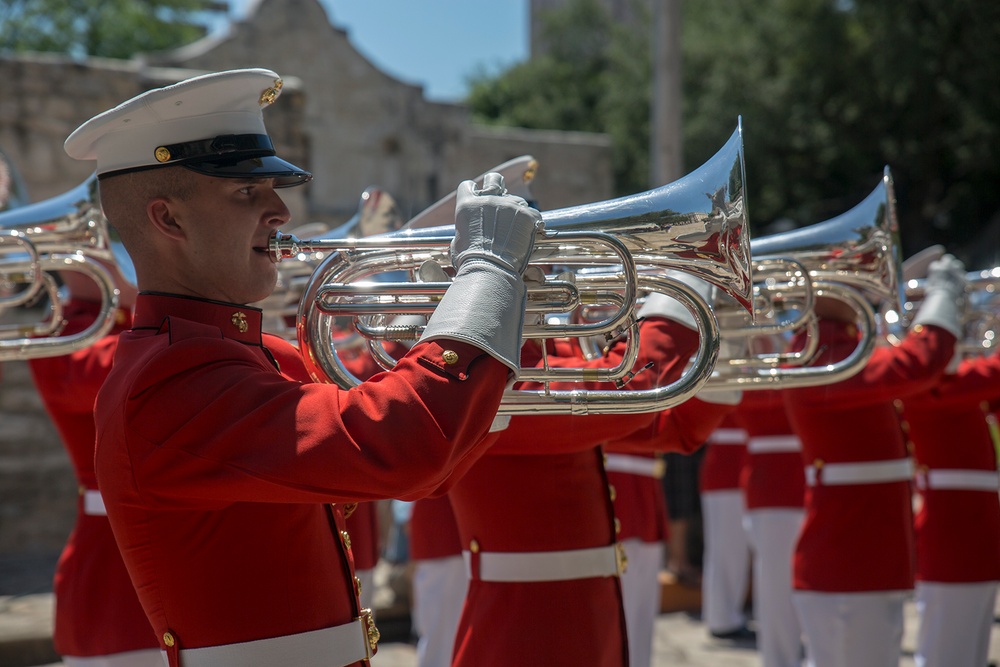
column 773, row 533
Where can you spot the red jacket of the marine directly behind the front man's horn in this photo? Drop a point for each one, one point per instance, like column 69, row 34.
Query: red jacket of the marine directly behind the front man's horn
column 542, row 488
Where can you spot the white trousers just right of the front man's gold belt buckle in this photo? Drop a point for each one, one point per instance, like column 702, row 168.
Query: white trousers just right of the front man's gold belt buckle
column 439, row 587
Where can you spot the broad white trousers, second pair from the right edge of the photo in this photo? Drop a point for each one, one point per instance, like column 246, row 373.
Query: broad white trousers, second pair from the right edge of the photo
column 851, row 629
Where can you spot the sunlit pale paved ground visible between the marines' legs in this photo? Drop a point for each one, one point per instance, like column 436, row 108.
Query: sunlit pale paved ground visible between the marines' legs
column 681, row 640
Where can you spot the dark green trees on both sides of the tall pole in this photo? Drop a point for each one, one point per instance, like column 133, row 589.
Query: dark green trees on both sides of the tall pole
column 830, row 92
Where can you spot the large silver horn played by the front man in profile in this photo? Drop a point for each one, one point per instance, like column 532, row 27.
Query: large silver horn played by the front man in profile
column 697, row 225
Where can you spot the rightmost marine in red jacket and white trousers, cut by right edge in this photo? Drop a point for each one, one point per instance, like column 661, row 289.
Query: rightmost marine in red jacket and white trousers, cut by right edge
column 958, row 521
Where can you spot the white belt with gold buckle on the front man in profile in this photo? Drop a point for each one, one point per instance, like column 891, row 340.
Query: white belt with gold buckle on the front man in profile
column 338, row 646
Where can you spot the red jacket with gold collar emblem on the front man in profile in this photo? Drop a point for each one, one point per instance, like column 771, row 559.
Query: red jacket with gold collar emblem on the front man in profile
column 224, row 476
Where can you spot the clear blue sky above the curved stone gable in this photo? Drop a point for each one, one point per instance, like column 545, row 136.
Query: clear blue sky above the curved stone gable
column 433, row 43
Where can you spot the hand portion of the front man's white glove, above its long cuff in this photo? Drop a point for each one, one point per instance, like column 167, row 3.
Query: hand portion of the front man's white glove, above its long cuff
column 493, row 226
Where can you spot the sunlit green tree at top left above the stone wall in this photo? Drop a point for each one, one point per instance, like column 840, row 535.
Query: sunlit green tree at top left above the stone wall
column 108, row 28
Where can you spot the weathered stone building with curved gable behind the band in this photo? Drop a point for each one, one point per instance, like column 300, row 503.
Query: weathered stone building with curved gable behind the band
column 351, row 124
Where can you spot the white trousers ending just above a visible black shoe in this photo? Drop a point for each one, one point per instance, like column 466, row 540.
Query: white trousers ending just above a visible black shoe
column 726, row 561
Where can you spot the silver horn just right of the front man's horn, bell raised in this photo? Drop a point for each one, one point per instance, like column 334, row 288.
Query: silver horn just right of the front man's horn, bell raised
column 853, row 258
